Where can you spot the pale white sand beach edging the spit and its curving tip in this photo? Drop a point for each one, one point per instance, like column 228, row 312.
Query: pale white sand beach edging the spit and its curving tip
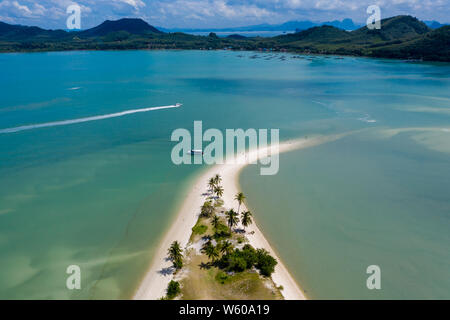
column 155, row 282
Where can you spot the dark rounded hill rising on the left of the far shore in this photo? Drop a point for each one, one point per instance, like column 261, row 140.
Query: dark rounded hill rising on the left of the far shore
column 132, row 26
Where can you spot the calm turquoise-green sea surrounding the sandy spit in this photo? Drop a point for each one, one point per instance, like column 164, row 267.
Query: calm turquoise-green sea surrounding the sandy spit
column 86, row 176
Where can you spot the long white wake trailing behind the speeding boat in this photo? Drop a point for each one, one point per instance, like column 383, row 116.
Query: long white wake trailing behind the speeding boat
column 87, row 119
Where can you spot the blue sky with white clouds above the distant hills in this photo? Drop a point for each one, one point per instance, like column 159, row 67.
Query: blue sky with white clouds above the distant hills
column 213, row 13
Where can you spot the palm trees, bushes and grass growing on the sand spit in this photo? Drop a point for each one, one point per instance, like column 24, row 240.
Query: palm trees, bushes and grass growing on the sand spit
column 223, row 271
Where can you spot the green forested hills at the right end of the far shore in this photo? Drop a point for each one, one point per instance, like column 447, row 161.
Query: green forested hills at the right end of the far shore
column 399, row 37
